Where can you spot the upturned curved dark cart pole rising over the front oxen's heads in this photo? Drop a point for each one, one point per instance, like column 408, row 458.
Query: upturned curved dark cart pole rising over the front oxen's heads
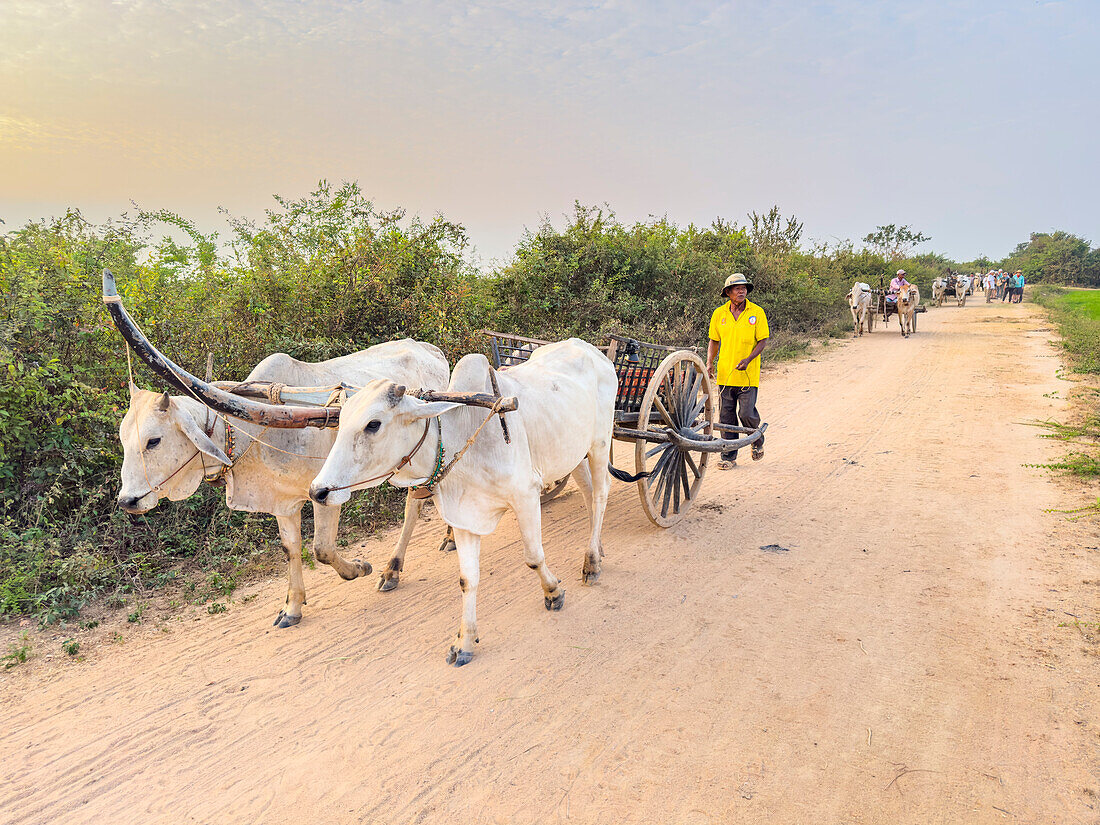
column 267, row 415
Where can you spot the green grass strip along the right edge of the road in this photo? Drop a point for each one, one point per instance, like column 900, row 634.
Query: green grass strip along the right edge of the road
column 1077, row 315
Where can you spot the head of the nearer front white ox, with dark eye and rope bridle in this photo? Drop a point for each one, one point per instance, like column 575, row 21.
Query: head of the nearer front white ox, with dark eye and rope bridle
column 379, row 427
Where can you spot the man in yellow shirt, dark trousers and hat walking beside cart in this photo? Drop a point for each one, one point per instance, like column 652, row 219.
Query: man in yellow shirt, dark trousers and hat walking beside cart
column 739, row 335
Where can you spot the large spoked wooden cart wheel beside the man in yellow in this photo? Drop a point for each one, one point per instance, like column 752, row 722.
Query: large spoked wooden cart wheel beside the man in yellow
column 684, row 397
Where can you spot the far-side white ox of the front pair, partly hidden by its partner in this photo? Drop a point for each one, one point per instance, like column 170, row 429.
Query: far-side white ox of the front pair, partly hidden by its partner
column 172, row 443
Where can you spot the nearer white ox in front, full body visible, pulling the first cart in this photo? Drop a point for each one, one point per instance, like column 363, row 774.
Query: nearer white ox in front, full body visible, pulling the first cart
column 567, row 404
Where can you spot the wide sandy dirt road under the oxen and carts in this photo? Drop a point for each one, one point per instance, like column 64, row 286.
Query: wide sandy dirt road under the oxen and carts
column 900, row 662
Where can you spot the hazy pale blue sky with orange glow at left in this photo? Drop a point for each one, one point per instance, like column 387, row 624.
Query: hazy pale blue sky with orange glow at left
column 975, row 123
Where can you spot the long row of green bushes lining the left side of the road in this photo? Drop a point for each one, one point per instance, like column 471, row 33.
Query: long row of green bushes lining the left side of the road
column 320, row 277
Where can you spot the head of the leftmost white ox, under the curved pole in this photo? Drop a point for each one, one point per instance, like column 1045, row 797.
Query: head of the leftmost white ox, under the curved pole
column 162, row 445
